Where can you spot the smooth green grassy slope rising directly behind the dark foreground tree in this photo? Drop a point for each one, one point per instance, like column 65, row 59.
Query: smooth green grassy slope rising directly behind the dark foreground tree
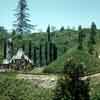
column 91, row 62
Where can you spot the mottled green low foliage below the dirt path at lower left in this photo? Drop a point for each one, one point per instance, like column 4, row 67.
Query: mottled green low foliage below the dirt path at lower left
column 13, row 89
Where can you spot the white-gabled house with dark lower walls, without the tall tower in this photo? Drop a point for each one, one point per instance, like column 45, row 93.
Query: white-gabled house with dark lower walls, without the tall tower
column 18, row 61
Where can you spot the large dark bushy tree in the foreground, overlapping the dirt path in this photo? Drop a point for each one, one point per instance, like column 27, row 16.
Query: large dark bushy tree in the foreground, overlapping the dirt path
column 71, row 86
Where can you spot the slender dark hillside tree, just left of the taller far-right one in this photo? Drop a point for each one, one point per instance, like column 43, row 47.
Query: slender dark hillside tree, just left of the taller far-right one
column 80, row 38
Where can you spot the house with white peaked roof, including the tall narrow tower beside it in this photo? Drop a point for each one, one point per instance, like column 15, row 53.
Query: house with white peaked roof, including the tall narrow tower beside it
column 17, row 61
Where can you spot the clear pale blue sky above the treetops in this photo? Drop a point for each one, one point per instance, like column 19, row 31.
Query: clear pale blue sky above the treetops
column 54, row 12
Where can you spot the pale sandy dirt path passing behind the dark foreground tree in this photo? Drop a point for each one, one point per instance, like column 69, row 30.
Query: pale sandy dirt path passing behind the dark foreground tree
column 48, row 81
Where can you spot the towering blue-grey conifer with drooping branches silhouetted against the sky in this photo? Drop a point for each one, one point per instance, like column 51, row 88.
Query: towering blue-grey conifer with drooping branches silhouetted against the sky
column 22, row 23
